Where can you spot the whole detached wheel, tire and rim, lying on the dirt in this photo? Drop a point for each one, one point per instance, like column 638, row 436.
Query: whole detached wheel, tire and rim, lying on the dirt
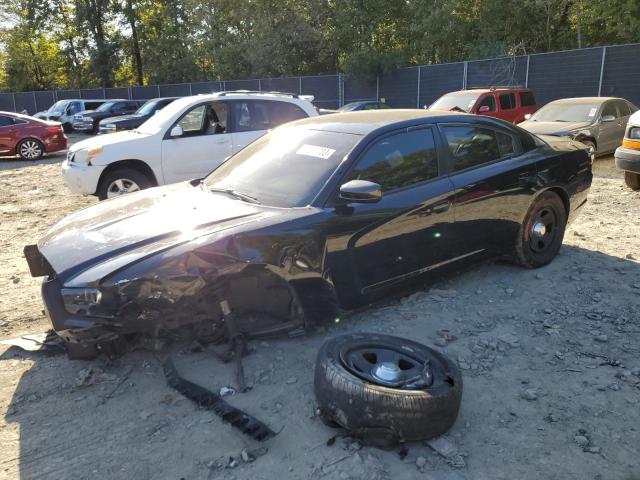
column 386, row 390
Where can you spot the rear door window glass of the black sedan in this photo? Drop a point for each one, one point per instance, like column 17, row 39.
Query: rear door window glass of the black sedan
column 473, row 146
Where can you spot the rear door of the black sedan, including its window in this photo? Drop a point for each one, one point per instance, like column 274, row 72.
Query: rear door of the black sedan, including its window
column 494, row 183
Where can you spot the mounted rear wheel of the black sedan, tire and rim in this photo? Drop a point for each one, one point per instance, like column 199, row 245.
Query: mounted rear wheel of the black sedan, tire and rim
column 541, row 234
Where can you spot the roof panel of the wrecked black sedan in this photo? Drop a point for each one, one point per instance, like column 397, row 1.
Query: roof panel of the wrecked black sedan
column 365, row 122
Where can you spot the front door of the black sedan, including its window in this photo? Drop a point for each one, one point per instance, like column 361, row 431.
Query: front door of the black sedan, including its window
column 406, row 232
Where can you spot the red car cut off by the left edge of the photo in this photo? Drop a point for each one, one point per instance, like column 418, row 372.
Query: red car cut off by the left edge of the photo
column 28, row 137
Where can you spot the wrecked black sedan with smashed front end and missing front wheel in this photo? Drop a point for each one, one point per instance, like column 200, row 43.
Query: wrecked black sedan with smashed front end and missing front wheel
column 317, row 216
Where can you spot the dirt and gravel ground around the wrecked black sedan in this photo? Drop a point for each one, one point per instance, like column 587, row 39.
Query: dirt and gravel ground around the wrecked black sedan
column 550, row 360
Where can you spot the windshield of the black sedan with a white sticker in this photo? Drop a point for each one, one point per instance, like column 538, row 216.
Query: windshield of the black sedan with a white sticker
column 285, row 168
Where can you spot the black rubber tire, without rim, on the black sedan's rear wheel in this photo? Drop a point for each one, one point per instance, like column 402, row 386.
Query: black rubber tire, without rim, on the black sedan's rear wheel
column 525, row 256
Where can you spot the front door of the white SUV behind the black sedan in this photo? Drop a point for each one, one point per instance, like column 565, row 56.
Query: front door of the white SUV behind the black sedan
column 203, row 145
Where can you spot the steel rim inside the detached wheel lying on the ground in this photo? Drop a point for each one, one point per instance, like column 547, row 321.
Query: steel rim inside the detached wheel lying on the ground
column 388, row 366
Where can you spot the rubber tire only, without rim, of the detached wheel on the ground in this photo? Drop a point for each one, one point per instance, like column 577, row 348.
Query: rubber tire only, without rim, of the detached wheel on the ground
column 381, row 415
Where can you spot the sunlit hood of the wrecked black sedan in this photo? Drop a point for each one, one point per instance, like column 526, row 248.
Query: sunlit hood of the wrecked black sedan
column 136, row 225
